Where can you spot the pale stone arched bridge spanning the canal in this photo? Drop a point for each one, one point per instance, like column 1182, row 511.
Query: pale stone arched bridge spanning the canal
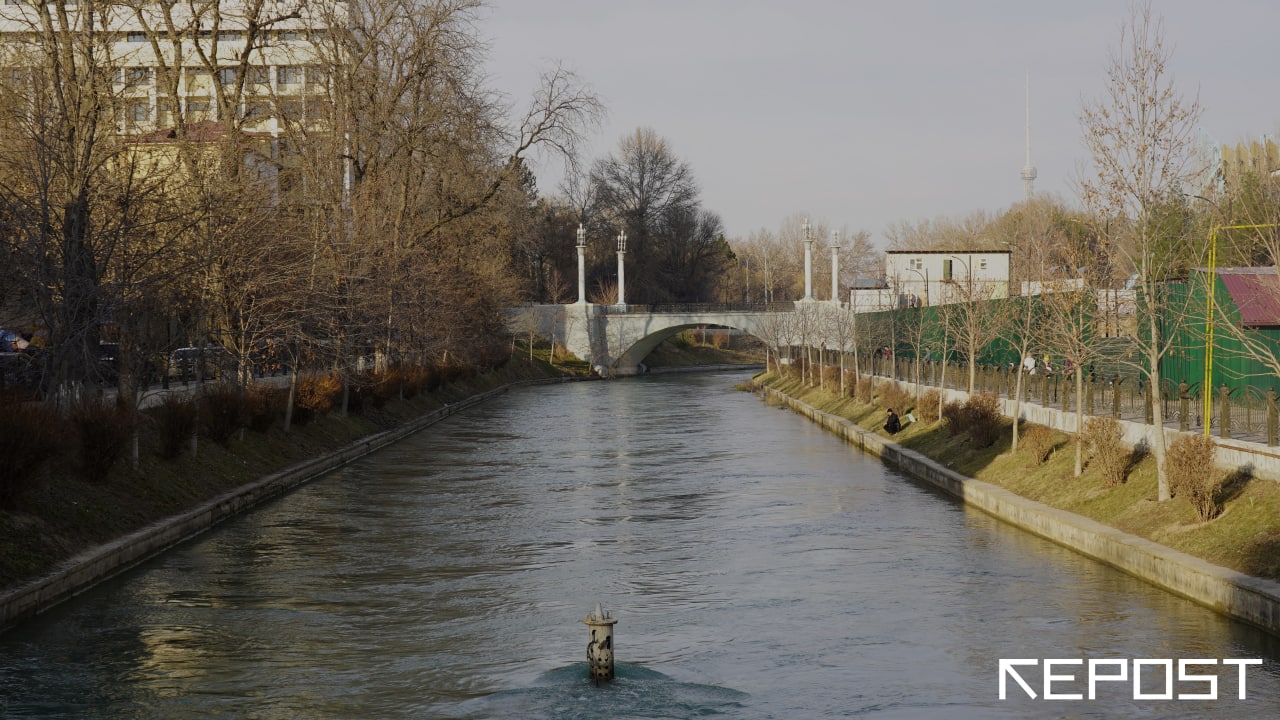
column 616, row 339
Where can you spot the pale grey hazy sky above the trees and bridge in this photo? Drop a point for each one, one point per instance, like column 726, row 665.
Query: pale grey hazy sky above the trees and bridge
column 868, row 113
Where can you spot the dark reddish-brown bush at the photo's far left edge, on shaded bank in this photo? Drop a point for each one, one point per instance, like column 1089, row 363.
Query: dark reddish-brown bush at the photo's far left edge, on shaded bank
column 30, row 436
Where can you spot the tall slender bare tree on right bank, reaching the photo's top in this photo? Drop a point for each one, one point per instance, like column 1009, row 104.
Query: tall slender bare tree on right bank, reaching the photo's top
column 1141, row 138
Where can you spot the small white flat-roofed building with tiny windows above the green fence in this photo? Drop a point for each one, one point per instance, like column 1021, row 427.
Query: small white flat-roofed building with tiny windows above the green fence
column 941, row 277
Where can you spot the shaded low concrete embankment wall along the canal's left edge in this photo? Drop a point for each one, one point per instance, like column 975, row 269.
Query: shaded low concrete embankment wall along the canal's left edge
column 93, row 567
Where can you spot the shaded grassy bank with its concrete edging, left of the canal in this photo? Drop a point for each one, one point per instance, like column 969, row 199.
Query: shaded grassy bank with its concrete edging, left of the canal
column 79, row 528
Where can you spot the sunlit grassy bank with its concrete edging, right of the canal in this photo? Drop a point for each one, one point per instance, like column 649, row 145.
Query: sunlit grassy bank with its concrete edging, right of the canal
column 1228, row 563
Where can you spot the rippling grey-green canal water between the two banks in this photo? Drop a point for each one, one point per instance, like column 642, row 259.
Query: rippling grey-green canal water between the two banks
column 758, row 569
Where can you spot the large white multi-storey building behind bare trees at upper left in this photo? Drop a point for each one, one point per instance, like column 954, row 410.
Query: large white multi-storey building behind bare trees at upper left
column 252, row 66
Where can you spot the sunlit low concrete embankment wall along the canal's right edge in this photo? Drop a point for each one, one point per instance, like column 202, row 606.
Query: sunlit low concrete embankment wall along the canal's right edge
column 1245, row 598
